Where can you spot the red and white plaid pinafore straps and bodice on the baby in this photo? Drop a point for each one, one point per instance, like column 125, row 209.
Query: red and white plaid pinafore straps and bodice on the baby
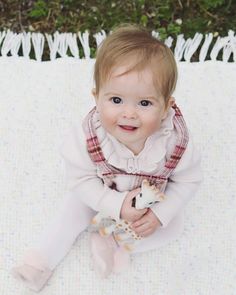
column 110, row 172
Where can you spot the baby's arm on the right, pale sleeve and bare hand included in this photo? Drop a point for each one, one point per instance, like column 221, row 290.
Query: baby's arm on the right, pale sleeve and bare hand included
column 180, row 189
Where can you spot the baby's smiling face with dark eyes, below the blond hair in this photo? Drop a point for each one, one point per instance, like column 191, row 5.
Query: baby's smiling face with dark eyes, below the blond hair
column 130, row 108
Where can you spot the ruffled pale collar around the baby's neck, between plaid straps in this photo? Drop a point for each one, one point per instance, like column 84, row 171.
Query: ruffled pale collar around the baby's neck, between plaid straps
column 119, row 156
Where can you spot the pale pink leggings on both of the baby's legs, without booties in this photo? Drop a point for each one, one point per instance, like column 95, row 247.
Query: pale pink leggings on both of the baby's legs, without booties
column 74, row 217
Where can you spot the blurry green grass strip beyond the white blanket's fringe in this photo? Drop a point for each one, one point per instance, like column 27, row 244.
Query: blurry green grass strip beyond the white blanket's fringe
column 168, row 17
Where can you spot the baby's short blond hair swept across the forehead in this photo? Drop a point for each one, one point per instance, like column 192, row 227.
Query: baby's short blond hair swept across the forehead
column 130, row 43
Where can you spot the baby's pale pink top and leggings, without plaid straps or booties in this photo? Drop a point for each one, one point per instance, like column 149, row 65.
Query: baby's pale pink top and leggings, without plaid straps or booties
column 87, row 192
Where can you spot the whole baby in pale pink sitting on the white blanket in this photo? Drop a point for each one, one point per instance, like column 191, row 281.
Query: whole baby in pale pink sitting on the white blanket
column 135, row 132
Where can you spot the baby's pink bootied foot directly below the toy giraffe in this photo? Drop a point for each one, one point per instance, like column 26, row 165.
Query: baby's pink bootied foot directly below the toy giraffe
column 103, row 249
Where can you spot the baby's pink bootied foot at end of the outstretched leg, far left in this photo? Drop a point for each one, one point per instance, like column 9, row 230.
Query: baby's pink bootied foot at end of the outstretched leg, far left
column 34, row 272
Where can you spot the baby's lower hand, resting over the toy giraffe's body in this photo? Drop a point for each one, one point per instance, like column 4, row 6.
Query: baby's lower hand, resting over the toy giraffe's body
column 147, row 224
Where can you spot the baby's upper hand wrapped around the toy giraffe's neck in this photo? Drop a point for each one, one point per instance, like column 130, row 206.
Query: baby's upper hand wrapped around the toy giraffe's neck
column 128, row 212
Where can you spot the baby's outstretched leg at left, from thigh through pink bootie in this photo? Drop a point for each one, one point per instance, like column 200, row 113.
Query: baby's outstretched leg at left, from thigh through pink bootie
column 54, row 243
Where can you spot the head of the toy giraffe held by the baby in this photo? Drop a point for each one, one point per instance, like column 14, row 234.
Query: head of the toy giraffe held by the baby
column 148, row 196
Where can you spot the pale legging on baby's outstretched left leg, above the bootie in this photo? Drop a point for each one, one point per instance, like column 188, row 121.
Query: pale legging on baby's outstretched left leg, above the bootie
column 58, row 237
